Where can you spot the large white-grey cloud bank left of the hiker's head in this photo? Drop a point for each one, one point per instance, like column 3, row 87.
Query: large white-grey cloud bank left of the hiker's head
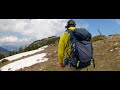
column 23, row 31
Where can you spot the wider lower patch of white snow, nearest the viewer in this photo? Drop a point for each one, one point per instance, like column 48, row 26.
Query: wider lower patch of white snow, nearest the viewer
column 25, row 62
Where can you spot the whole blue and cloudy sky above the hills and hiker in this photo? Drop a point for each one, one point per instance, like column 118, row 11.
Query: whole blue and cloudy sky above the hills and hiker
column 19, row 32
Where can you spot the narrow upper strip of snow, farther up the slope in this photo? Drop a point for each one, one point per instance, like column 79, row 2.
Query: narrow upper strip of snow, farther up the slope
column 10, row 58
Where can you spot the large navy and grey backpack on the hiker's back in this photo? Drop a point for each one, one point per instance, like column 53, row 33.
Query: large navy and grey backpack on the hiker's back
column 81, row 48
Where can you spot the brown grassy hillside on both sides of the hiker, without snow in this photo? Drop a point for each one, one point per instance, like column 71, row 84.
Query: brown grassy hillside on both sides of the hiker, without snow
column 106, row 54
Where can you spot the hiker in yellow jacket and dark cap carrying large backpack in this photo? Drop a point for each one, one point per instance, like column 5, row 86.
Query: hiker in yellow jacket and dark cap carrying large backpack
column 66, row 54
